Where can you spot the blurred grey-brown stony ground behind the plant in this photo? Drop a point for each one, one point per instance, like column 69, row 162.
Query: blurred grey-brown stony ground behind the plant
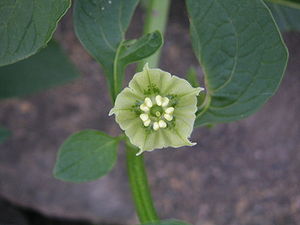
column 242, row 173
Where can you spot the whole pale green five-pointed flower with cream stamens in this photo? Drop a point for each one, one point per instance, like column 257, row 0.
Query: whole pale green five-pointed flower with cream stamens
column 157, row 110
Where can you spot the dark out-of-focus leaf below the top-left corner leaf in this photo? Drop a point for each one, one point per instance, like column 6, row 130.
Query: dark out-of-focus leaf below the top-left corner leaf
column 46, row 69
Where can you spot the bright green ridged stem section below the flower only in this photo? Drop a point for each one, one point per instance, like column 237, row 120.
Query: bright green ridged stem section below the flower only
column 139, row 185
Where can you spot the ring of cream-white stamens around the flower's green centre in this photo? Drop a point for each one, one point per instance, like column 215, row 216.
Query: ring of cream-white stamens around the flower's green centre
column 156, row 113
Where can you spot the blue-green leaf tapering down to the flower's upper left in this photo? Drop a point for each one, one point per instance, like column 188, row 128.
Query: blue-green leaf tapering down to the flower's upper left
column 101, row 26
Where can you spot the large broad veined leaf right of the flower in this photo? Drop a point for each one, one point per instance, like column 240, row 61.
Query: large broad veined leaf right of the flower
column 241, row 53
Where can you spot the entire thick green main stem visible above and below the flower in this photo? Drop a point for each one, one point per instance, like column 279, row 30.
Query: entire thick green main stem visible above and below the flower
column 156, row 19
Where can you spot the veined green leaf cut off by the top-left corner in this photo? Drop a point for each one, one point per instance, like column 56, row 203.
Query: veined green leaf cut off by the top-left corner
column 26, row 26
